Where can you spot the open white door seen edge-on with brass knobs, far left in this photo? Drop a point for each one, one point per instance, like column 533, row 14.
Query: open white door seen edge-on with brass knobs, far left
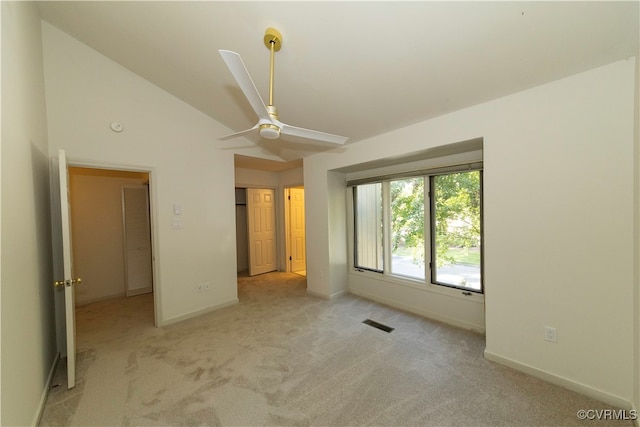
column 62, row 245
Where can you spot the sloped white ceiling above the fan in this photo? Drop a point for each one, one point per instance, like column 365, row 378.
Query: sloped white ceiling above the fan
column 357, row 69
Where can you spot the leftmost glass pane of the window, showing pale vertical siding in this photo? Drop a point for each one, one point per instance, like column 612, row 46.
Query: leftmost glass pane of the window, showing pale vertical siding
column 368, row 226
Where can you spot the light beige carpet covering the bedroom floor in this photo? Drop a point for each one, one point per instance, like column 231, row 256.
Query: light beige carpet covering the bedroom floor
column 282, row 357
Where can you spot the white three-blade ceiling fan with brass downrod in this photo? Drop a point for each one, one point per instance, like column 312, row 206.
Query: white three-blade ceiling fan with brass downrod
column 269, row 126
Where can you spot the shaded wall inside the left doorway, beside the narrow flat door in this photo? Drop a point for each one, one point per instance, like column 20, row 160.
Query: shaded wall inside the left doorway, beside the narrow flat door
column 97, row 231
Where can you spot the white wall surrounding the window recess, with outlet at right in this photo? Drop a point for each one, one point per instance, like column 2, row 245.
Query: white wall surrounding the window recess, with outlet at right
column 558, row 216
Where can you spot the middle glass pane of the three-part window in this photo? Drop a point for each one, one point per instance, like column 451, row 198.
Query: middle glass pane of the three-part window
column 407, row 227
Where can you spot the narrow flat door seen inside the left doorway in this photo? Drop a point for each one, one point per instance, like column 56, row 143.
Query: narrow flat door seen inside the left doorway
column 137, row 240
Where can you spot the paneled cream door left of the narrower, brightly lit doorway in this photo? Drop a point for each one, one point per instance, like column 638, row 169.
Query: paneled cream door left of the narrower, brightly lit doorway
column 261, row 230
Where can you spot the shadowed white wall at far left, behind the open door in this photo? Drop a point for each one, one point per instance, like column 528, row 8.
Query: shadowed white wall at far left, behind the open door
column 28, row 326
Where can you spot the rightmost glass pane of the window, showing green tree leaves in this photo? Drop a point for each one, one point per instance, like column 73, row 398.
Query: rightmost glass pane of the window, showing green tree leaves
column 457, row 238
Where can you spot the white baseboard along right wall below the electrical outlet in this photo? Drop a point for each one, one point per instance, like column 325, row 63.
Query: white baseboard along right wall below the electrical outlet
column 584, row 389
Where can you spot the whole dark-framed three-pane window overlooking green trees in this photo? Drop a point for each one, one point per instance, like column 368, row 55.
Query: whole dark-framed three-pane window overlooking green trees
column 398, row 233
